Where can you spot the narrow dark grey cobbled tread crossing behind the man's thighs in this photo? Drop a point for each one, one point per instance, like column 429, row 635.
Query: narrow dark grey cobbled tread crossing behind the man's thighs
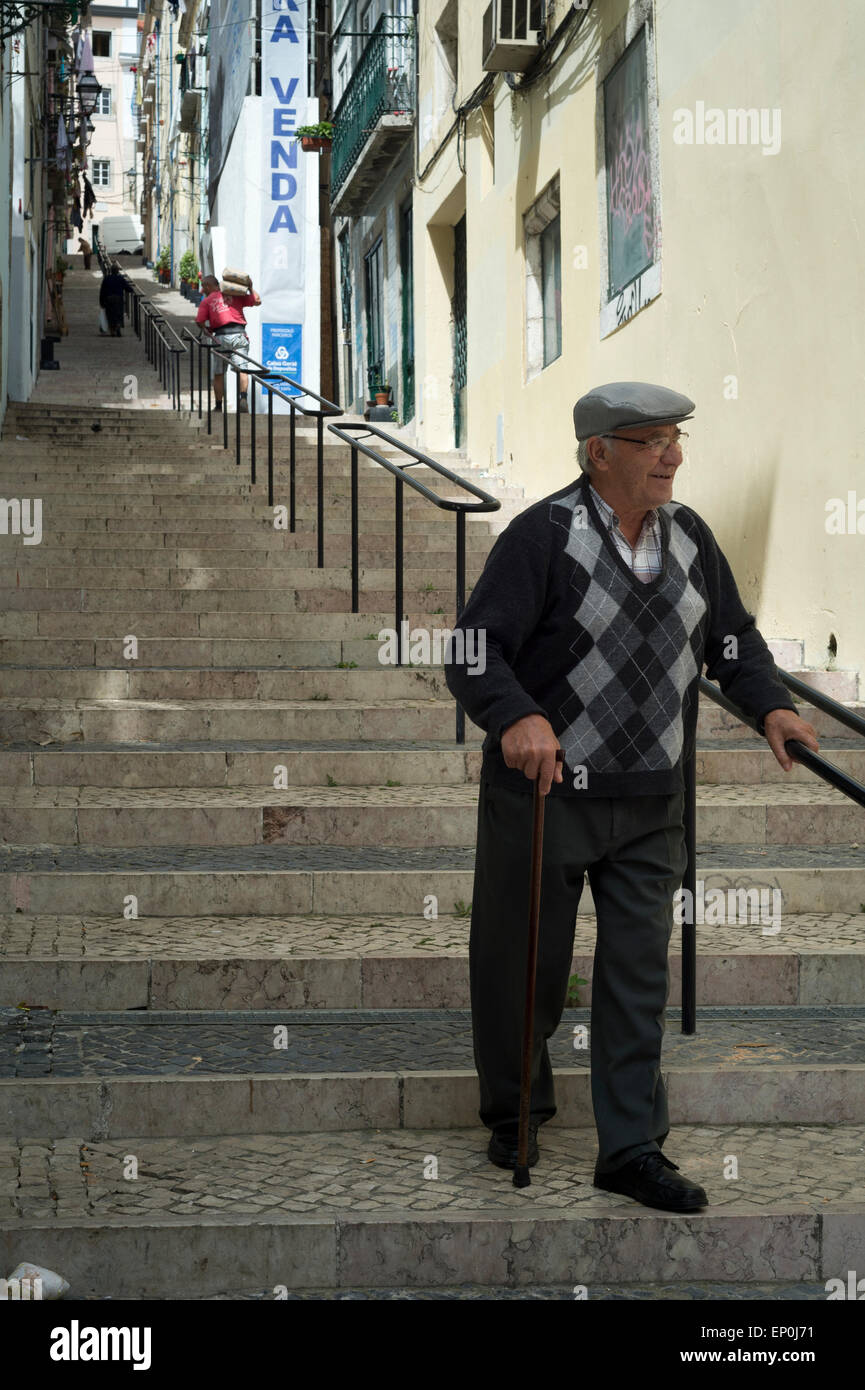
column 286, row 858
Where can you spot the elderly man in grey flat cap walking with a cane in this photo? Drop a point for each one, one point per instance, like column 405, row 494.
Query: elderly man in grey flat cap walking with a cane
column 600, row 607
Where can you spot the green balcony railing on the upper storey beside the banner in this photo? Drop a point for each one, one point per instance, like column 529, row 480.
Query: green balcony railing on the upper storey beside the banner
column 383, row 84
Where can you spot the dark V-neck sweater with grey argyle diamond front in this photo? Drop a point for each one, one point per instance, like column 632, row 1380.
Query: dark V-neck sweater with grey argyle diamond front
column 614, row 664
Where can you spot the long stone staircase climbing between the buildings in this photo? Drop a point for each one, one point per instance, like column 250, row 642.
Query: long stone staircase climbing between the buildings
column 236, row 1042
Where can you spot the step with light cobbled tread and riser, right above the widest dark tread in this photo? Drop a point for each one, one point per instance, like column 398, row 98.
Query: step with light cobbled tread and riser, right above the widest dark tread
column 58, row 961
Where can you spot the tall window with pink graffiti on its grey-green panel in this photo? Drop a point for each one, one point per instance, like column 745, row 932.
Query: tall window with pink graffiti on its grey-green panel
column 631, row 213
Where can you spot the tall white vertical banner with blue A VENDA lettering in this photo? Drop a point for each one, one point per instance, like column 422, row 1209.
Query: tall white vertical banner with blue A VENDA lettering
column 290, row 275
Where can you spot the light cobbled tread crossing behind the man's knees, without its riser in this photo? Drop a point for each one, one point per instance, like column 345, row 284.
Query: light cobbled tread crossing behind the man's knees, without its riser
column 45, row 936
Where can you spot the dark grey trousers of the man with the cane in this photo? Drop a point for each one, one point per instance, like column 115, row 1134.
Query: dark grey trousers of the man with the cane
column 633, row 851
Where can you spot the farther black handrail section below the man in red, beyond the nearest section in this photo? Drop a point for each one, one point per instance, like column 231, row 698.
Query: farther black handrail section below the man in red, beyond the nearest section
column 262, row 375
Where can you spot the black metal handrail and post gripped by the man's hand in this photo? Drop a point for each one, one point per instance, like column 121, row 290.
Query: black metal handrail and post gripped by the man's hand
column 830, row 774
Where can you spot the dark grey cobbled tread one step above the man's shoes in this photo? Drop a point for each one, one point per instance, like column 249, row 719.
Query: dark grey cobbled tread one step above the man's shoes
column 38, row 1043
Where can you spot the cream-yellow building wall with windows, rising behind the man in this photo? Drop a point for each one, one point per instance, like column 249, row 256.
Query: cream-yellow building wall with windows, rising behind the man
column 631, row 191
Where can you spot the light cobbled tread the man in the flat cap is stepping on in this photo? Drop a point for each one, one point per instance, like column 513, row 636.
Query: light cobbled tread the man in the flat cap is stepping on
column 796, row 1168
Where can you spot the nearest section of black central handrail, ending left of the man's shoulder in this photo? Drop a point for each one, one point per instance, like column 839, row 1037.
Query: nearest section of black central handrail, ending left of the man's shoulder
column 401, row 476
